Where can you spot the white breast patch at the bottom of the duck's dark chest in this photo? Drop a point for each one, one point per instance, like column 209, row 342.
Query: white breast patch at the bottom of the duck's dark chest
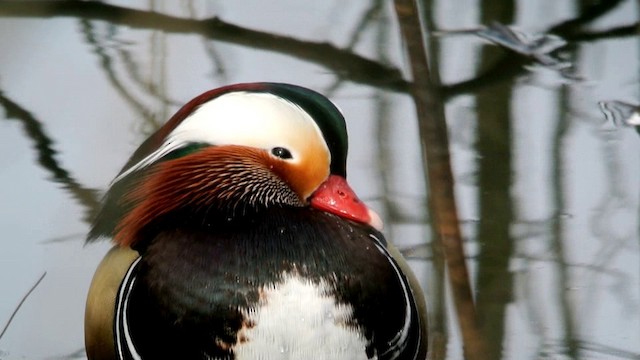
column 297, row 319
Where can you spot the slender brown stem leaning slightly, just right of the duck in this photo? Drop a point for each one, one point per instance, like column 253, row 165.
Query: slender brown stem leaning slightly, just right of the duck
column 447, row 236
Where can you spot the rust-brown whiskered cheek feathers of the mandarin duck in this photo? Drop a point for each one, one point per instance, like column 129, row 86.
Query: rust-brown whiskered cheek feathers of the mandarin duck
column 225, row 177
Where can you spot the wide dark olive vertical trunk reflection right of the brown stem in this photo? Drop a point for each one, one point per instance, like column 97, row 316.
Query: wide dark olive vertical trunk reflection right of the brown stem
column 494, row 142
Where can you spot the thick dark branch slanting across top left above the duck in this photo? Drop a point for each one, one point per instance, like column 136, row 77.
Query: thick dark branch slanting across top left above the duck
column 355, row 67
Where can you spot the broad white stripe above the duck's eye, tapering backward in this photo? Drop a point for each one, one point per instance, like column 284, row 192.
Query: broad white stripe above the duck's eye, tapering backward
column 260, row 120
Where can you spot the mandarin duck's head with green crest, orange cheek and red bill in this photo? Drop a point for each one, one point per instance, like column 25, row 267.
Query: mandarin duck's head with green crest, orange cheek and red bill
column 234, row 151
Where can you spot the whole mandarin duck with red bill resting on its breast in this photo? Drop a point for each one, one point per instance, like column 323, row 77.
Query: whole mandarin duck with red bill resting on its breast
column 237, row 236
